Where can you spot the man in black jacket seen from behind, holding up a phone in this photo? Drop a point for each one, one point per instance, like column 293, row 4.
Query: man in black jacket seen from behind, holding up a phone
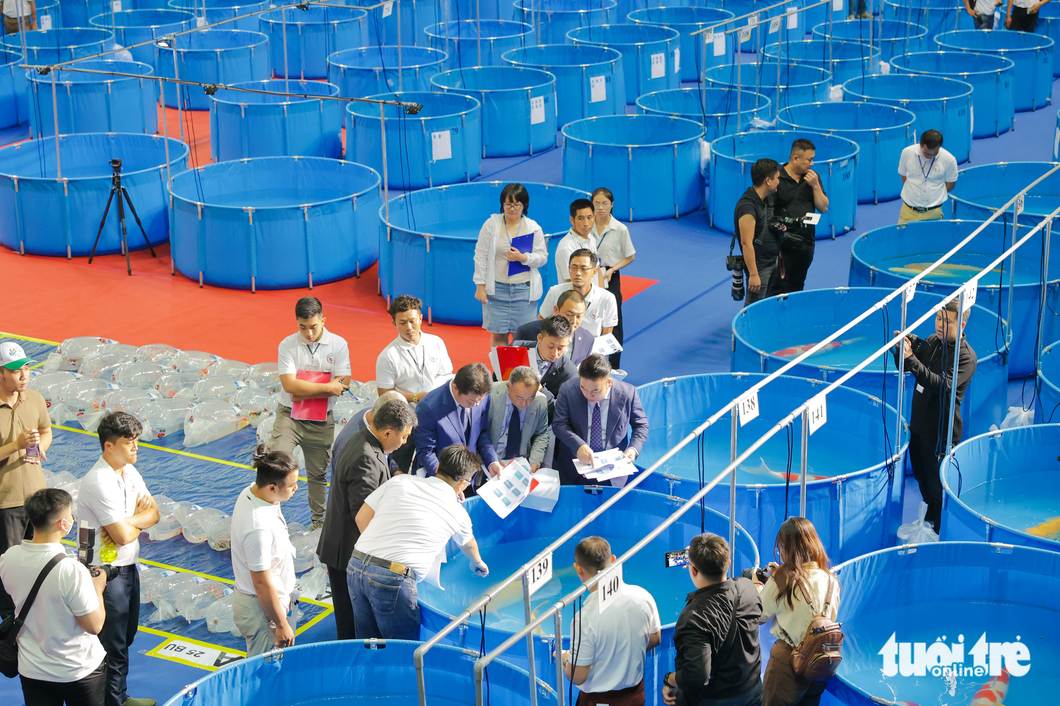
column 719, row 662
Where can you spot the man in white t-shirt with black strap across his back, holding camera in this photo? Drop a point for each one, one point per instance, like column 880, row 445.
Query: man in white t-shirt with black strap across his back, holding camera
column 60, row 657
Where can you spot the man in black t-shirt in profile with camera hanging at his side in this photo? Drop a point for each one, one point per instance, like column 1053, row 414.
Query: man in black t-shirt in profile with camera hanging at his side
column 759, row 245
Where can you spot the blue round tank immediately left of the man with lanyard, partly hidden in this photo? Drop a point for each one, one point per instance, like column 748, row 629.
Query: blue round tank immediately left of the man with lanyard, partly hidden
column 880, row 131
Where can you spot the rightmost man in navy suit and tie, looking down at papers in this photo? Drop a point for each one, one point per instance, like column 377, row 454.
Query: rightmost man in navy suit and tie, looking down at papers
column 596, row 414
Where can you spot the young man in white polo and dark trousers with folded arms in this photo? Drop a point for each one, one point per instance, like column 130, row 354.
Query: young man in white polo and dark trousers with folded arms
column 114, row 507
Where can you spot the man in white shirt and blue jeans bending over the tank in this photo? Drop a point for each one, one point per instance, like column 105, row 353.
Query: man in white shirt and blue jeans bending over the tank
column 405, row 525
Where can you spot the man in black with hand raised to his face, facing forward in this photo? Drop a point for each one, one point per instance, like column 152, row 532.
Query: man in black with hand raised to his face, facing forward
column 799, row 193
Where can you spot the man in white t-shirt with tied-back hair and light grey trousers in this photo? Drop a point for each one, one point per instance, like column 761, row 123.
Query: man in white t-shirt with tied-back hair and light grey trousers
column 263, row 557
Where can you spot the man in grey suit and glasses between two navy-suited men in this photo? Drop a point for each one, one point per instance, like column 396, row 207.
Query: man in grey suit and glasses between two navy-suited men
column 519, row 418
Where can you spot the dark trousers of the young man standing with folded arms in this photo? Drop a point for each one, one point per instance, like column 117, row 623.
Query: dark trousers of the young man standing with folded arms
column 121, row 599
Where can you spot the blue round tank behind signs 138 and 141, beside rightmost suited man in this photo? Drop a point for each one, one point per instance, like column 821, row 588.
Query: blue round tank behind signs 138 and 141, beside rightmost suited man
column 855, row 480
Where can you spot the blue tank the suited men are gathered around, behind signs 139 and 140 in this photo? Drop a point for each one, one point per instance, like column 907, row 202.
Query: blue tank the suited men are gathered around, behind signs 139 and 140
column 508, row 544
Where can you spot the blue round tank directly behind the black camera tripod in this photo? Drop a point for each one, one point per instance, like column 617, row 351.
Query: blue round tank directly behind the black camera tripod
column 44, row 216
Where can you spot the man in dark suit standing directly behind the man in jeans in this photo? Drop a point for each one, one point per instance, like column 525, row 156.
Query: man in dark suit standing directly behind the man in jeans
column 362, row 467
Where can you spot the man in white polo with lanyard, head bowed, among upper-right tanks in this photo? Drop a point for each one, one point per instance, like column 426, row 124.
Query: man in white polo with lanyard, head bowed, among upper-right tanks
column 929, row 174
